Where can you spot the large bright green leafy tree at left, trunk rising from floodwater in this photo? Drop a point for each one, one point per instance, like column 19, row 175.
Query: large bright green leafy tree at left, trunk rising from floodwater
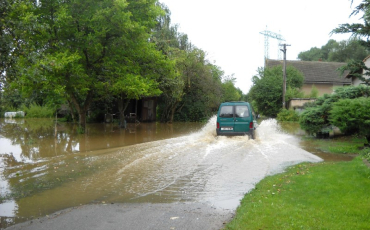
column 78, row 48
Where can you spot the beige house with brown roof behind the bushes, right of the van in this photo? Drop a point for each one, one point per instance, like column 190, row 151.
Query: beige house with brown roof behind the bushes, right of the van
column 323, row 75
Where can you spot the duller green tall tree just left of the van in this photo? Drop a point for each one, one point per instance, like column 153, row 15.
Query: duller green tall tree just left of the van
column 197, row 90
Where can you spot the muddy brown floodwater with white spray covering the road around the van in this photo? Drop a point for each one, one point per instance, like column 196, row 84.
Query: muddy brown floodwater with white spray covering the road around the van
column 46, row 166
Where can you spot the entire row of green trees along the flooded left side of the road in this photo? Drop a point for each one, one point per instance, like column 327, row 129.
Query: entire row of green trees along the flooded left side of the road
column 98, row 59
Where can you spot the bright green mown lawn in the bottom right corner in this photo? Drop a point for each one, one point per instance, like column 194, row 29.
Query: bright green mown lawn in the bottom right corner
column 329, row 195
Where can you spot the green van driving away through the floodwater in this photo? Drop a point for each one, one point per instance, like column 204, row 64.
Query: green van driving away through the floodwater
column 236, row 118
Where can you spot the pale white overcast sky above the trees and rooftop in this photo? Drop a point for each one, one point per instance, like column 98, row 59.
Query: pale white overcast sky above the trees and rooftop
column 229, row 31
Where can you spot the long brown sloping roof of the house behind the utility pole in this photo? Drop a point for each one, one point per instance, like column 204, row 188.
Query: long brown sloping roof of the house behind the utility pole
column 316, row 71
